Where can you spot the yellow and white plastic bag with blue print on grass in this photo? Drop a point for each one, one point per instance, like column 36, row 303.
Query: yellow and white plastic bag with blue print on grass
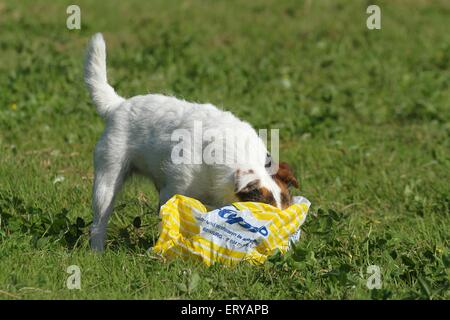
column 243, row 231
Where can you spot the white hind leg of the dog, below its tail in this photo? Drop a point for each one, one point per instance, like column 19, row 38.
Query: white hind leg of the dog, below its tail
column 111, row 171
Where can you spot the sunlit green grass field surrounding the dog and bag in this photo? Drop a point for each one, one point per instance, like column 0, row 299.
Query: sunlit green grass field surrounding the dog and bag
column 364, row 119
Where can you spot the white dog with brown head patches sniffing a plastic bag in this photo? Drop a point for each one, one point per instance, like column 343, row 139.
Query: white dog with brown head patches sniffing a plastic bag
column 138, row 138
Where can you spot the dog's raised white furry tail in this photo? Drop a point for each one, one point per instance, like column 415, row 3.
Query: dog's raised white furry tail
column 103, row 95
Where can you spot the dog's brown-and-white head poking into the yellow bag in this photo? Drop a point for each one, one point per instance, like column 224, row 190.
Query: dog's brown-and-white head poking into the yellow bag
column 254, row 186
